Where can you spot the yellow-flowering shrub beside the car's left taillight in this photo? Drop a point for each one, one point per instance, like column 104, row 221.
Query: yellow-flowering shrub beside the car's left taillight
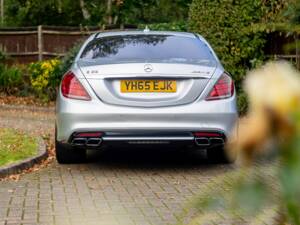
column 45, row 77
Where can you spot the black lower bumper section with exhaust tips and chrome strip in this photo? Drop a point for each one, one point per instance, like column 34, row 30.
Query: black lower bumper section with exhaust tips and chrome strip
column 174, row 139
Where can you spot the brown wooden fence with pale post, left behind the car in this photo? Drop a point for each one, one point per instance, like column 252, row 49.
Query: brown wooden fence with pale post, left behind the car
column 25, row 45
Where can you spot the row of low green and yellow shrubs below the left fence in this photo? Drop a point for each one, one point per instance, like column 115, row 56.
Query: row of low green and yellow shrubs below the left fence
column 40, row 79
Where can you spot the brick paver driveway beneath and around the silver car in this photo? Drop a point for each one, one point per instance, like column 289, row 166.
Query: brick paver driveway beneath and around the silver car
column 122, row 186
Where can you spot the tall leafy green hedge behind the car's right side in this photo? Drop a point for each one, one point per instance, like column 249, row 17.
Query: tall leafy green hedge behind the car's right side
column 226, row 26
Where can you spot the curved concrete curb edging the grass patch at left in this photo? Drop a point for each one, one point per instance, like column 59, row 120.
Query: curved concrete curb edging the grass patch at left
column 18, row 167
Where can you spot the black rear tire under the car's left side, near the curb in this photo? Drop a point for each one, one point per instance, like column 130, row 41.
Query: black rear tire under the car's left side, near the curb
column 67, row 155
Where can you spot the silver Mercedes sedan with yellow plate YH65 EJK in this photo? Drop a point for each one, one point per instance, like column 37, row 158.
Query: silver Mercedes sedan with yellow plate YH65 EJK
column 145, row 89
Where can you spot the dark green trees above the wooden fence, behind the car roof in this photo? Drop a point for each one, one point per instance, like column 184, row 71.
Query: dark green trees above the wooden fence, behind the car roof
column 93, row 12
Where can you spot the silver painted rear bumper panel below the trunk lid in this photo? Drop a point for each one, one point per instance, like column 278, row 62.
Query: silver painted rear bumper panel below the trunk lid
column 88, row 116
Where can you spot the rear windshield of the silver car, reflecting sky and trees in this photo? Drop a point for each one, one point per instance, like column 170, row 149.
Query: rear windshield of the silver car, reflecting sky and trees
column 148, row 48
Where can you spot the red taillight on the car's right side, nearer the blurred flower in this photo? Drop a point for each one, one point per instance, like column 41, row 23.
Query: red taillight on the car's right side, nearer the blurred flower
column 224, row 88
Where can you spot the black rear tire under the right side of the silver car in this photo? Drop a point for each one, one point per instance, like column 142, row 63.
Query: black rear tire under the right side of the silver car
column 219, row 155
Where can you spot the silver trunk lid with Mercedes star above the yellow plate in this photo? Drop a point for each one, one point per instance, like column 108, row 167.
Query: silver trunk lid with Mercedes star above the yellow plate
column 105, row 80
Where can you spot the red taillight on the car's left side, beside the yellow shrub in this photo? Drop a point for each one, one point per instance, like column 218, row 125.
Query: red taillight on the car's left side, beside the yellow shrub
column 72, row 88
